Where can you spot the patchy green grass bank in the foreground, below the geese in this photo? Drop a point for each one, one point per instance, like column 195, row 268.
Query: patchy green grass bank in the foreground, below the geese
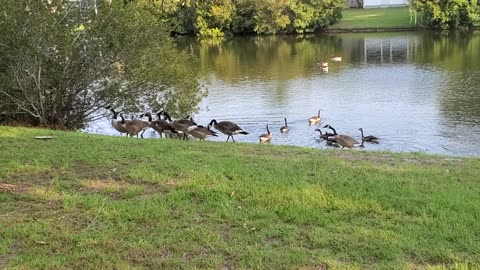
column 93, row 202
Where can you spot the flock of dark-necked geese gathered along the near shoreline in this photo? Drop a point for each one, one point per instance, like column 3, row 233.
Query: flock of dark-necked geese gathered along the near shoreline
column 183, row 128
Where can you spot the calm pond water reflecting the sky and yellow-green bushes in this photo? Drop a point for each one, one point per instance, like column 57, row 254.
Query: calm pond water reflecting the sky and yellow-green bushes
column 416, row 91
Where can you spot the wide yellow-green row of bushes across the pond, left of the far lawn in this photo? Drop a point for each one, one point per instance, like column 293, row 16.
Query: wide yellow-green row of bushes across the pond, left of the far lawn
column 213, row 18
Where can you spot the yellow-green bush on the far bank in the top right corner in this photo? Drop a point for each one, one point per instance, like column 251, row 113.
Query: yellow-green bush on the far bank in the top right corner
column 448, row 14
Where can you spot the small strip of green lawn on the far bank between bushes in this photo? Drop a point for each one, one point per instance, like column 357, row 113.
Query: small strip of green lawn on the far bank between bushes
column 375, row 18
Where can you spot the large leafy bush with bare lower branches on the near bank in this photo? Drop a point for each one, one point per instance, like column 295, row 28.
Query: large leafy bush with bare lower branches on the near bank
column 62, row 61
